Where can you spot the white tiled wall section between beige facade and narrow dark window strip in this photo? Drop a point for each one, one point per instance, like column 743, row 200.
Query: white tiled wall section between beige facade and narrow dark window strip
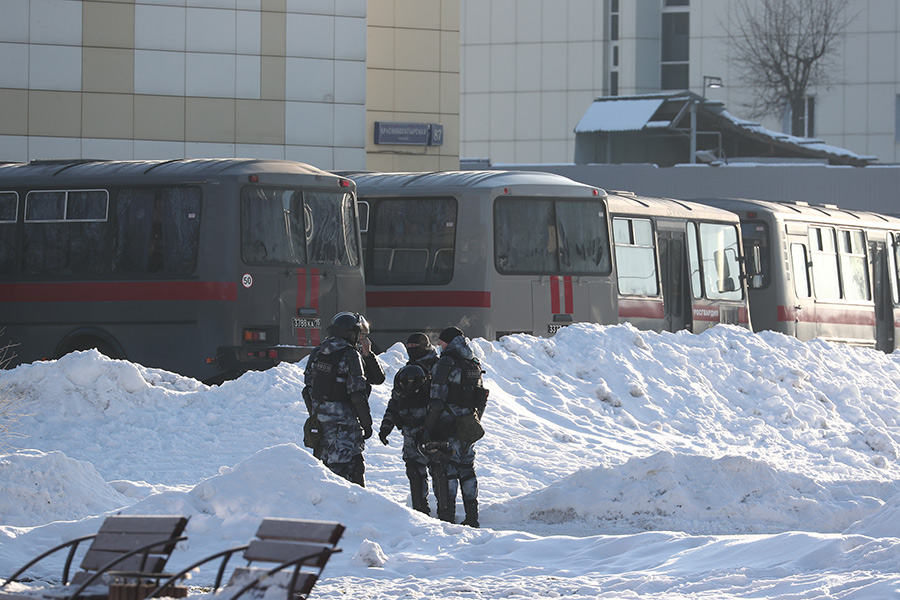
column 529, row 69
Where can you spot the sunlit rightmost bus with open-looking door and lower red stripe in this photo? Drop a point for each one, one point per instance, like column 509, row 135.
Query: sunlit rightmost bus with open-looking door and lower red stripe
column 819, row 271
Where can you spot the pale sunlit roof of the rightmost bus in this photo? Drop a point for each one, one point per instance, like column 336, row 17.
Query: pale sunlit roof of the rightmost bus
column 806, row 212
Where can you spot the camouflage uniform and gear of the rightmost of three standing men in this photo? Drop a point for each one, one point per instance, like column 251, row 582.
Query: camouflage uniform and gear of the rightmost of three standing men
column 453, row 378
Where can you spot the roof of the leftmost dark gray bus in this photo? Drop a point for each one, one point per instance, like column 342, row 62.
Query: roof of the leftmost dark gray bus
column 177, row 168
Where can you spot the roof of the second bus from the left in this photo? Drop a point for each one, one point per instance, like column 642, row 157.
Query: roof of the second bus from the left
column 444, row 181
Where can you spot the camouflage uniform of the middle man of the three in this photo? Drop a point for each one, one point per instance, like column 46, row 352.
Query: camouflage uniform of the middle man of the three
column 408, row 415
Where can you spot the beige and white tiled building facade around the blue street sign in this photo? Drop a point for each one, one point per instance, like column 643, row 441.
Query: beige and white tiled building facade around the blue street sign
column 287, row 79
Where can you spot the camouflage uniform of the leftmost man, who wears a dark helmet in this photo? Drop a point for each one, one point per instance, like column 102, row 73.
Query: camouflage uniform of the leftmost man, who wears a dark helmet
column 341, row 405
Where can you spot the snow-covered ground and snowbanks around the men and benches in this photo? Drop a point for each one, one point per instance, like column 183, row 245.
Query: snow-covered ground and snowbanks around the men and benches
column 617, row 464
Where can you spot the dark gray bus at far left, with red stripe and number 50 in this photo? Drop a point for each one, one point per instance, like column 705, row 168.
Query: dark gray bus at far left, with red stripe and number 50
column 206, row 267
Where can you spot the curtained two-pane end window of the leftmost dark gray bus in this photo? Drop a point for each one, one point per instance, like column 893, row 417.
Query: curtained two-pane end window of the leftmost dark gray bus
column 289, row 226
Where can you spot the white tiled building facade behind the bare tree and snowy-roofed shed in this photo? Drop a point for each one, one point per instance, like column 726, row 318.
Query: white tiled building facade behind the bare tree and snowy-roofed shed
column 531, row 68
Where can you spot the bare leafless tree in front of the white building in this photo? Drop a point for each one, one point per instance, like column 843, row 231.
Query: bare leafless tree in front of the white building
column 782, row 48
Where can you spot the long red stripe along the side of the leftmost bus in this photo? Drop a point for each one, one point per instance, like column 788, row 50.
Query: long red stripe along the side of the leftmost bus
column 119, row 291
